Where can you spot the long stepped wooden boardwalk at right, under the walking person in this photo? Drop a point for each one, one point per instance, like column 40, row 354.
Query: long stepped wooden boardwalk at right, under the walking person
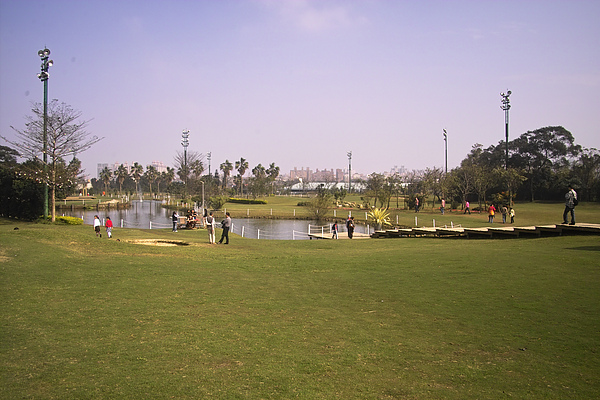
column 501, row 231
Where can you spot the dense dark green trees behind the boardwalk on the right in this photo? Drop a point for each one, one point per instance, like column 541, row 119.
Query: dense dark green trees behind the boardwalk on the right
column 542, row 163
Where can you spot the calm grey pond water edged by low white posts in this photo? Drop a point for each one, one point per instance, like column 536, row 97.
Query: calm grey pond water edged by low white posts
column 150, row 214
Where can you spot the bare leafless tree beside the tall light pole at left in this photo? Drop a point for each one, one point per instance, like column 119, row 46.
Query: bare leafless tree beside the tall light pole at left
column 66, row 135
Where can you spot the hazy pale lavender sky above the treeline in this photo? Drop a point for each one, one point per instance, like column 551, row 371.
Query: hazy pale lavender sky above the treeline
column 299, row 82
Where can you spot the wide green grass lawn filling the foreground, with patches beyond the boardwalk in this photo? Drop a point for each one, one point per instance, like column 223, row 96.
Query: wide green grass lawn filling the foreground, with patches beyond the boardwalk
column 86, row 318
